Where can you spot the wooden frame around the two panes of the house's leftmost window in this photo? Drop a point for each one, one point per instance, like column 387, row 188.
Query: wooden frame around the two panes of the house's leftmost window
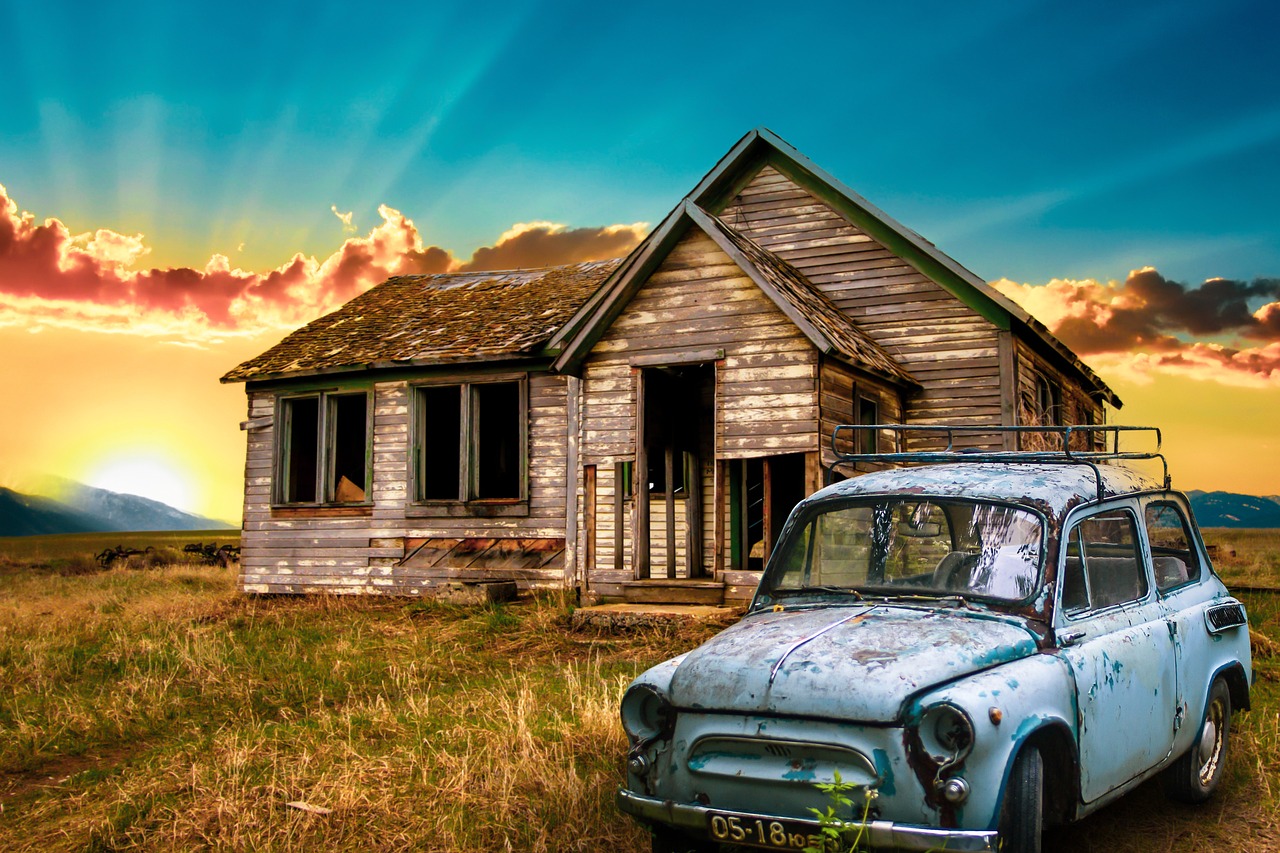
column 326, row 455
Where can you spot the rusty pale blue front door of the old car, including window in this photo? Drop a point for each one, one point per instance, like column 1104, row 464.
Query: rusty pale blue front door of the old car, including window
column 1114, row 636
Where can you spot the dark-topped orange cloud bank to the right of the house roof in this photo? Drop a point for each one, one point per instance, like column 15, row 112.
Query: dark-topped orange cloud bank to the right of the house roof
column 1149, row 325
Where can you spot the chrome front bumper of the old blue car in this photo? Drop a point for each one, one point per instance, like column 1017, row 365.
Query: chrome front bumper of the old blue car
column 876, row 834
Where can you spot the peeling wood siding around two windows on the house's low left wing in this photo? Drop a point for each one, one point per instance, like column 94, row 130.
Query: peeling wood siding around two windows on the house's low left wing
column 301, row 553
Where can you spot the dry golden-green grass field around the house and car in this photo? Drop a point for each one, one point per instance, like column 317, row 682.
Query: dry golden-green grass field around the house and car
column 162, row 710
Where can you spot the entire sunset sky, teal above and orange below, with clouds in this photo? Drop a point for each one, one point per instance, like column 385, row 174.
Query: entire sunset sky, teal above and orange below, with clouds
column 184, row 184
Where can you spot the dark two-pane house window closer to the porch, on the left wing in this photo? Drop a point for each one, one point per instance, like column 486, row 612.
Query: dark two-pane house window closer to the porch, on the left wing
column 472, row 441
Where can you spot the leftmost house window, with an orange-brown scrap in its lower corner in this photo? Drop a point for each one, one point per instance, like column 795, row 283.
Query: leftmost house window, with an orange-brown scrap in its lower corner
column 324, row 449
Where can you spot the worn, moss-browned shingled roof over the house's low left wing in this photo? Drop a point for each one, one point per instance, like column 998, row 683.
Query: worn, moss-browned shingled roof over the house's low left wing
column 436, row 320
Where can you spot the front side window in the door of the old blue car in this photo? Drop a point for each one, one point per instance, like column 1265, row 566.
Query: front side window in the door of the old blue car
column 1104, row 567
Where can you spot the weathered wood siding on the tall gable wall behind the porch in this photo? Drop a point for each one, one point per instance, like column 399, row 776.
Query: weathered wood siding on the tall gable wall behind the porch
column 941, row 341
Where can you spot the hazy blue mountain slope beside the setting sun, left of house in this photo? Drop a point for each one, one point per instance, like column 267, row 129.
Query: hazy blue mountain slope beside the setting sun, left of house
column 74, row 508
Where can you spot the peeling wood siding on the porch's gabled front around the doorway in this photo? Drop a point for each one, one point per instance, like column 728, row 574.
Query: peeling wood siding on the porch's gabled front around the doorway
column 766, row 386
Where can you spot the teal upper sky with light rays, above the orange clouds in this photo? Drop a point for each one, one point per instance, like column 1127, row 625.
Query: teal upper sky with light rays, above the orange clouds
column 1027, row 140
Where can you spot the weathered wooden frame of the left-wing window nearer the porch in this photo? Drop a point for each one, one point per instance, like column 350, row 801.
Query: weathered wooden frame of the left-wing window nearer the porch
column 469, row 504
